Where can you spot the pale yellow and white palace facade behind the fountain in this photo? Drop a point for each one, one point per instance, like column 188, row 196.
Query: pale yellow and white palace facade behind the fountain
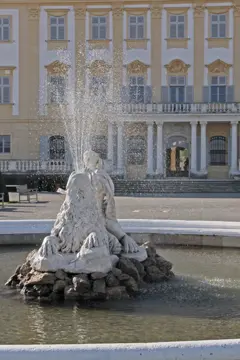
column 170, row 71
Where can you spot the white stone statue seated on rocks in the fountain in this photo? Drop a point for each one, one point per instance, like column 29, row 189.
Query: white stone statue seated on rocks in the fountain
column 86, row 237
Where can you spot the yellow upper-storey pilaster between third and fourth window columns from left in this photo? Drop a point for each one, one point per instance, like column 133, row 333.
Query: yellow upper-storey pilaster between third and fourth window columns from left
column 117, row 67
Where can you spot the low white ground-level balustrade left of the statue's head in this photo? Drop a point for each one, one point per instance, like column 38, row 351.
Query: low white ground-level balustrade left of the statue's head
column 35, row 166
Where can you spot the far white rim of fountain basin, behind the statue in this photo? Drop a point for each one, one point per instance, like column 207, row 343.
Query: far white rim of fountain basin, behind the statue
column 159, row 232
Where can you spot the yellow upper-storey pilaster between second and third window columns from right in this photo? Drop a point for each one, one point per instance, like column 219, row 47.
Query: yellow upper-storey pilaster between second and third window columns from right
column 156, row 54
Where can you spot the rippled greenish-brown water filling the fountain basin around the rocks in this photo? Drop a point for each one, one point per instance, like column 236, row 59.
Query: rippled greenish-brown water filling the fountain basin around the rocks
column 203, row 302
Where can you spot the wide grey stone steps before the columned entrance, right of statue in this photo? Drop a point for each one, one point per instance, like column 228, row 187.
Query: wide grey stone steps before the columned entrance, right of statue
column 175, row 186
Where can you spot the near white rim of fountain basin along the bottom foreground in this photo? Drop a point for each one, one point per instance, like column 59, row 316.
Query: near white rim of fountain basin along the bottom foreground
column 189, row 350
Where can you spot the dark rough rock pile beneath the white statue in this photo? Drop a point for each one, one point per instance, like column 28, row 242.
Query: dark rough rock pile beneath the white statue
column 125, row 280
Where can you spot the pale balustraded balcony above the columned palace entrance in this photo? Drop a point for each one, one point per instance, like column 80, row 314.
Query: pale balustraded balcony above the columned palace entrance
column 180, row 108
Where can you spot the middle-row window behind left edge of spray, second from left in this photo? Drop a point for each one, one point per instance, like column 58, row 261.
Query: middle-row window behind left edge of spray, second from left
column 57, row 89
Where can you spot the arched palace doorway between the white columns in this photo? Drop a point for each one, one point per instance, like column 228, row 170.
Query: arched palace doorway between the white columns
column 177, row 157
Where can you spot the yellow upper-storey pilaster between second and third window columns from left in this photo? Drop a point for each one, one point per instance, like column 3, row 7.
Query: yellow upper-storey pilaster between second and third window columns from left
column 80, row 41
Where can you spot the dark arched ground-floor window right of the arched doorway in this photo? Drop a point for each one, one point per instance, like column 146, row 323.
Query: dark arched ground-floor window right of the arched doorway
column 218, row 150
